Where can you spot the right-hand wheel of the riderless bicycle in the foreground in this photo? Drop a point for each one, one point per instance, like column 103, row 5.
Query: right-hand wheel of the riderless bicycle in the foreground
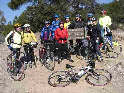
column 99, row 77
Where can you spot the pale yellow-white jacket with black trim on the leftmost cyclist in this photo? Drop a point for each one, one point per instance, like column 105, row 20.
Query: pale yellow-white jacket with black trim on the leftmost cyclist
column 14, row 39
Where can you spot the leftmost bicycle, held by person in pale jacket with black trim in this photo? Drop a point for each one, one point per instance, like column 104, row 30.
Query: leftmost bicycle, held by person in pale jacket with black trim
column 15, row 67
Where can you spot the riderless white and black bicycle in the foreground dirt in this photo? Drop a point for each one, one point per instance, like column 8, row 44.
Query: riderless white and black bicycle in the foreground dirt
column 95, row 77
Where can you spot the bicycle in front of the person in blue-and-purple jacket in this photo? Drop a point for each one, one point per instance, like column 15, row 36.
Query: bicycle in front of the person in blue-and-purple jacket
column 46, row 55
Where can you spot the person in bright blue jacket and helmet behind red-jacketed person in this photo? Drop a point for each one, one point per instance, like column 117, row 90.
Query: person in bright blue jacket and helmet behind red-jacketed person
column 55, row 23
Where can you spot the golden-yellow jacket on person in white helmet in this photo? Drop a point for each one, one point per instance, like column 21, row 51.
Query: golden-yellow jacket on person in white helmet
column 28, row 37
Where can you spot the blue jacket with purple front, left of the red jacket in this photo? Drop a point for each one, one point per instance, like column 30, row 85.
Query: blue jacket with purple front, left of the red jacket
column 46, row 33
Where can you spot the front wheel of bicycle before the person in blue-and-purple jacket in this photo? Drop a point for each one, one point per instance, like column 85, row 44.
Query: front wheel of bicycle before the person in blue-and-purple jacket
column 49, row 62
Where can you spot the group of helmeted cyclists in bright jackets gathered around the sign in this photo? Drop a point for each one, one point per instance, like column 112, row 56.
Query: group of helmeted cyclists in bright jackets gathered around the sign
column 57, row 31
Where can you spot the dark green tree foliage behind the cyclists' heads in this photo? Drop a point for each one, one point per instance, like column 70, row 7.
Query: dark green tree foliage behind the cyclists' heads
column 35, row 15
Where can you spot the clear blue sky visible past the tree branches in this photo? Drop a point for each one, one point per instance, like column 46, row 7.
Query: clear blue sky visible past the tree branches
column 10, row 14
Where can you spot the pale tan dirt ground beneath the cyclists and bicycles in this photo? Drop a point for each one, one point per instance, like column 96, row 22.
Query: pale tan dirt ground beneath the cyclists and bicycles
column 36, row 79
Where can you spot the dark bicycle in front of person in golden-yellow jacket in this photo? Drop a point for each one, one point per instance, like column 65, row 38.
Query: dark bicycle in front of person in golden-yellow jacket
column 29, row 57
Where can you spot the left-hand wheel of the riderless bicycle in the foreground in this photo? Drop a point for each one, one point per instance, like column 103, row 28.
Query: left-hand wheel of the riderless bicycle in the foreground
column 59, row 79
